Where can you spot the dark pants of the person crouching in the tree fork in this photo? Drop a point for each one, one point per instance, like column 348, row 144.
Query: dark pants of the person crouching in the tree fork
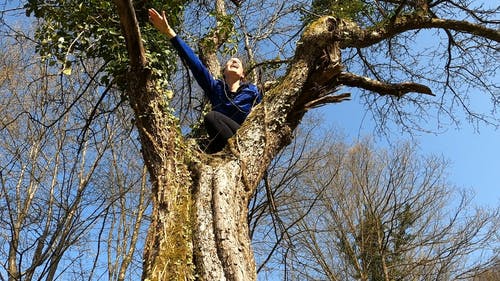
column 219, row 128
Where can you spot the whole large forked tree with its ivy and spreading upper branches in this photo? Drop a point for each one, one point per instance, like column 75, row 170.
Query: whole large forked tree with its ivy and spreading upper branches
column 200, row 201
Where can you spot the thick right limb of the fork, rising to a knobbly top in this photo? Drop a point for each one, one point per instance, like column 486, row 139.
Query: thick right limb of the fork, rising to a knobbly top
column 311, row 73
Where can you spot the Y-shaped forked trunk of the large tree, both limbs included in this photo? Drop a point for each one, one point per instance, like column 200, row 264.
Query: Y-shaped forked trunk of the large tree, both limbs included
column 199, row 227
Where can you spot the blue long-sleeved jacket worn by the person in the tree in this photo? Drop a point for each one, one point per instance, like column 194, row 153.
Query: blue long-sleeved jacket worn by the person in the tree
column 234, row 105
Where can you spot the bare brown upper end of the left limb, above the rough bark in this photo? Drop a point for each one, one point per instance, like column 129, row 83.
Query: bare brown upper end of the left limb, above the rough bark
column 130, row 29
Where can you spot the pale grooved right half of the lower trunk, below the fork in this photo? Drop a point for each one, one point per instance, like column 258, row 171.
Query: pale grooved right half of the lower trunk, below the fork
column 222, row 244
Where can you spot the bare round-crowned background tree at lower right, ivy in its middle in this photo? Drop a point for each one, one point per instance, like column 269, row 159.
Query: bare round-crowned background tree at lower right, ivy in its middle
column 384, row 215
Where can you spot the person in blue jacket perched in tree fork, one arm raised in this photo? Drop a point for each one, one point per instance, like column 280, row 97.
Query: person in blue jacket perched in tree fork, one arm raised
column 231, row 97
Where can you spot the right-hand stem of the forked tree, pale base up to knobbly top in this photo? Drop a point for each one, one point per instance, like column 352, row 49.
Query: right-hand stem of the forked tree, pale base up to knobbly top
column 226, row 181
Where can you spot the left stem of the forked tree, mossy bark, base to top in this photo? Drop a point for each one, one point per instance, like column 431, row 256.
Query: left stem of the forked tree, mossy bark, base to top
column 168, row 249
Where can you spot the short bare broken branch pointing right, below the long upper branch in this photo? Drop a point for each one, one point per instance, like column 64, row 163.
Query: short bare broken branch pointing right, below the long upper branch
column 382, row 88
